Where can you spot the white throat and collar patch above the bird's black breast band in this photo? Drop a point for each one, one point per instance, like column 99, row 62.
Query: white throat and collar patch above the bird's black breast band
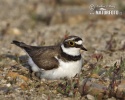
column 71, row 51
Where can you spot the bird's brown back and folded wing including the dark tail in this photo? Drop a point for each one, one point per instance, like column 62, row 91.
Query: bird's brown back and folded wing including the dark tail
column 44, row 57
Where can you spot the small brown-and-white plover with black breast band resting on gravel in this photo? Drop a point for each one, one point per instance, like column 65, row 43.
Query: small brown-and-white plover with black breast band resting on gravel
column 57, row 61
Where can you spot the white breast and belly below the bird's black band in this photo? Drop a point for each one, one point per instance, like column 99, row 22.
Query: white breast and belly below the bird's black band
column 65, row 69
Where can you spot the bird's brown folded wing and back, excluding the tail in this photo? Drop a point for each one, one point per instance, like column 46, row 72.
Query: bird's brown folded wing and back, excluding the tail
column 44, row 57
